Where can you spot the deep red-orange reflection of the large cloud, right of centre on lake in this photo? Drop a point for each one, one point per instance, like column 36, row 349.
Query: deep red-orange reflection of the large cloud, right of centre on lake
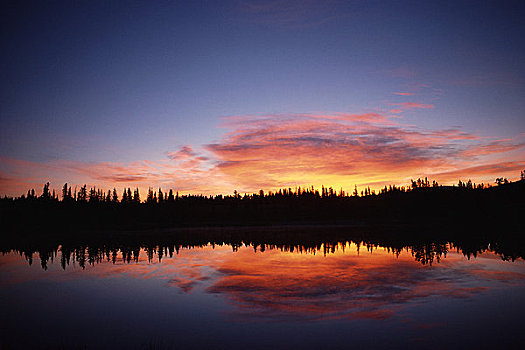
column 277, row 285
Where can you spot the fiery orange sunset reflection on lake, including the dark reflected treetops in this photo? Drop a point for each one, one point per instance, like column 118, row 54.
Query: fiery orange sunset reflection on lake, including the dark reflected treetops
column 321, row 281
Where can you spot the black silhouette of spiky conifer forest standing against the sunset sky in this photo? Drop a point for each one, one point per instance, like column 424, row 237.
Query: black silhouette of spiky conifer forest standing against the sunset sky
column 424, row 202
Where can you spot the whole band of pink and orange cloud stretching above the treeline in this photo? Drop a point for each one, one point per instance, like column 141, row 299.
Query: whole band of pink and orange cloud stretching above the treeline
column 273, row 151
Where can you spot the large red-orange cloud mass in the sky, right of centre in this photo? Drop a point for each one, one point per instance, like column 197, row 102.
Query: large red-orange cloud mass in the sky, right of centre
column 282, row 151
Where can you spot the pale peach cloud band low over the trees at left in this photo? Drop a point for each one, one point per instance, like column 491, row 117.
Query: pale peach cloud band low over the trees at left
column 192, row 174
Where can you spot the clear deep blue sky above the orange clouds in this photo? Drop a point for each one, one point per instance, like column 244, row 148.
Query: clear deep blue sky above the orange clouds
column 122, row 82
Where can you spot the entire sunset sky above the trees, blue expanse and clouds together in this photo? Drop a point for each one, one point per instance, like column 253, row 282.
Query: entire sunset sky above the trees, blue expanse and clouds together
column 208, row 97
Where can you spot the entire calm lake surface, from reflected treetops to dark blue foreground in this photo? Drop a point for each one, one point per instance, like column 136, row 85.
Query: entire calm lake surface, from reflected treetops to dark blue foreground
column 342, row 296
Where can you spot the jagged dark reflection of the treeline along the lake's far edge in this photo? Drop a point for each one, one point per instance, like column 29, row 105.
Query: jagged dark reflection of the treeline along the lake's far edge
column 128, row 248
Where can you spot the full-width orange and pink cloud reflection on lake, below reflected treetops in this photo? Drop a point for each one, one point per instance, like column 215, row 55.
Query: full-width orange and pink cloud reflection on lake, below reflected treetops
column 374, row 284
